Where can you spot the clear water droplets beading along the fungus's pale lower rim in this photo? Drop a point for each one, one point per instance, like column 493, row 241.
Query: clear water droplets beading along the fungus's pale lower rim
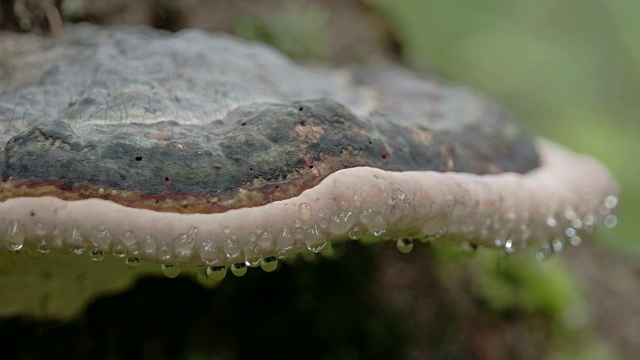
column 312, row 230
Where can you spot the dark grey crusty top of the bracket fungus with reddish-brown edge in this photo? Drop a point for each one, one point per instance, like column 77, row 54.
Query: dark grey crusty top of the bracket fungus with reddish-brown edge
column 194, row 122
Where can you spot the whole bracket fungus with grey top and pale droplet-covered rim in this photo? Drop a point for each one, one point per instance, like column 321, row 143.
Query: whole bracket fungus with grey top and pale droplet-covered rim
column 194, row 150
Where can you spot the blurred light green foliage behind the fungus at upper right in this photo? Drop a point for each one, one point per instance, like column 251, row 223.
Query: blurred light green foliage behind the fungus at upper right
column 569, row 70
